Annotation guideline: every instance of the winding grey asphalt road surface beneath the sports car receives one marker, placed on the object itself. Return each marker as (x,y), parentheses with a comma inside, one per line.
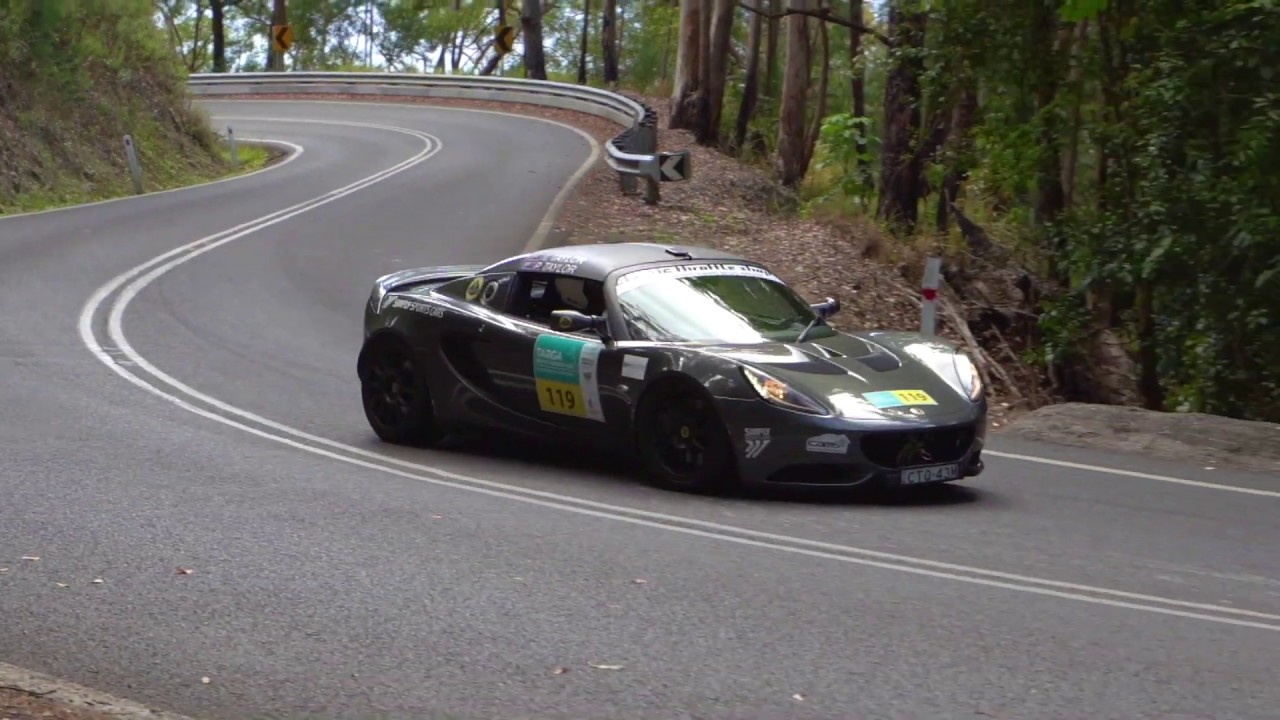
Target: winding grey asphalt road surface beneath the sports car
(335,577)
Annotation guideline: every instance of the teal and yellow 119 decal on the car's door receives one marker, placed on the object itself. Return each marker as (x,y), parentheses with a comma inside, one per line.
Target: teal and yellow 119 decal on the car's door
(566,376)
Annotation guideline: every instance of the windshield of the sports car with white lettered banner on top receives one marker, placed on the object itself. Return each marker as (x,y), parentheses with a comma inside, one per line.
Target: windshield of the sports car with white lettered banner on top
(715,308)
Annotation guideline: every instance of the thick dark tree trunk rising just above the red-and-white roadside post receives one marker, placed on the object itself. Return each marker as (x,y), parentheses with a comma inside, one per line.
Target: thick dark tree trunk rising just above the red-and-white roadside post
(902,167)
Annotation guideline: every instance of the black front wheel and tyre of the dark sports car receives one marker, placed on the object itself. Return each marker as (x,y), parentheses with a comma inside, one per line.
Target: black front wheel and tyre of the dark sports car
(683,441)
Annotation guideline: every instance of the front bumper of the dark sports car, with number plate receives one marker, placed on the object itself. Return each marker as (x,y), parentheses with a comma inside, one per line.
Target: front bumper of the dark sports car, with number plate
(778,448)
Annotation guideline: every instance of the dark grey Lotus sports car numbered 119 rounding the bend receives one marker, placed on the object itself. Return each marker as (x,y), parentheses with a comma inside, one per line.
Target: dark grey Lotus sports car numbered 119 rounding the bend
(705,363)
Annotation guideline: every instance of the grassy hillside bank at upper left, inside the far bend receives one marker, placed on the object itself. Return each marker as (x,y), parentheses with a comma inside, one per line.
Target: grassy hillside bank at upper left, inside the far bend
(76,79)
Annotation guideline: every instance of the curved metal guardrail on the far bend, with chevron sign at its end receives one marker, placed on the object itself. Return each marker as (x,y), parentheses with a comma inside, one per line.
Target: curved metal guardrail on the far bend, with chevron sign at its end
(633,154)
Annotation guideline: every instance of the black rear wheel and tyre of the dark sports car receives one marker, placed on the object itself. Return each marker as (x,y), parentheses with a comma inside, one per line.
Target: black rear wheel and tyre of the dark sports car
(396,398)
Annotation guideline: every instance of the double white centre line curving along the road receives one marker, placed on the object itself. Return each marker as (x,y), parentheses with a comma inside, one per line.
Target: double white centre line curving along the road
(136,280)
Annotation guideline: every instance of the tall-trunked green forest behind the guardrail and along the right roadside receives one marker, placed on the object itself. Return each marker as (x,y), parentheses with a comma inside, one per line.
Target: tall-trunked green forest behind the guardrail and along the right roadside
(1117,161)
